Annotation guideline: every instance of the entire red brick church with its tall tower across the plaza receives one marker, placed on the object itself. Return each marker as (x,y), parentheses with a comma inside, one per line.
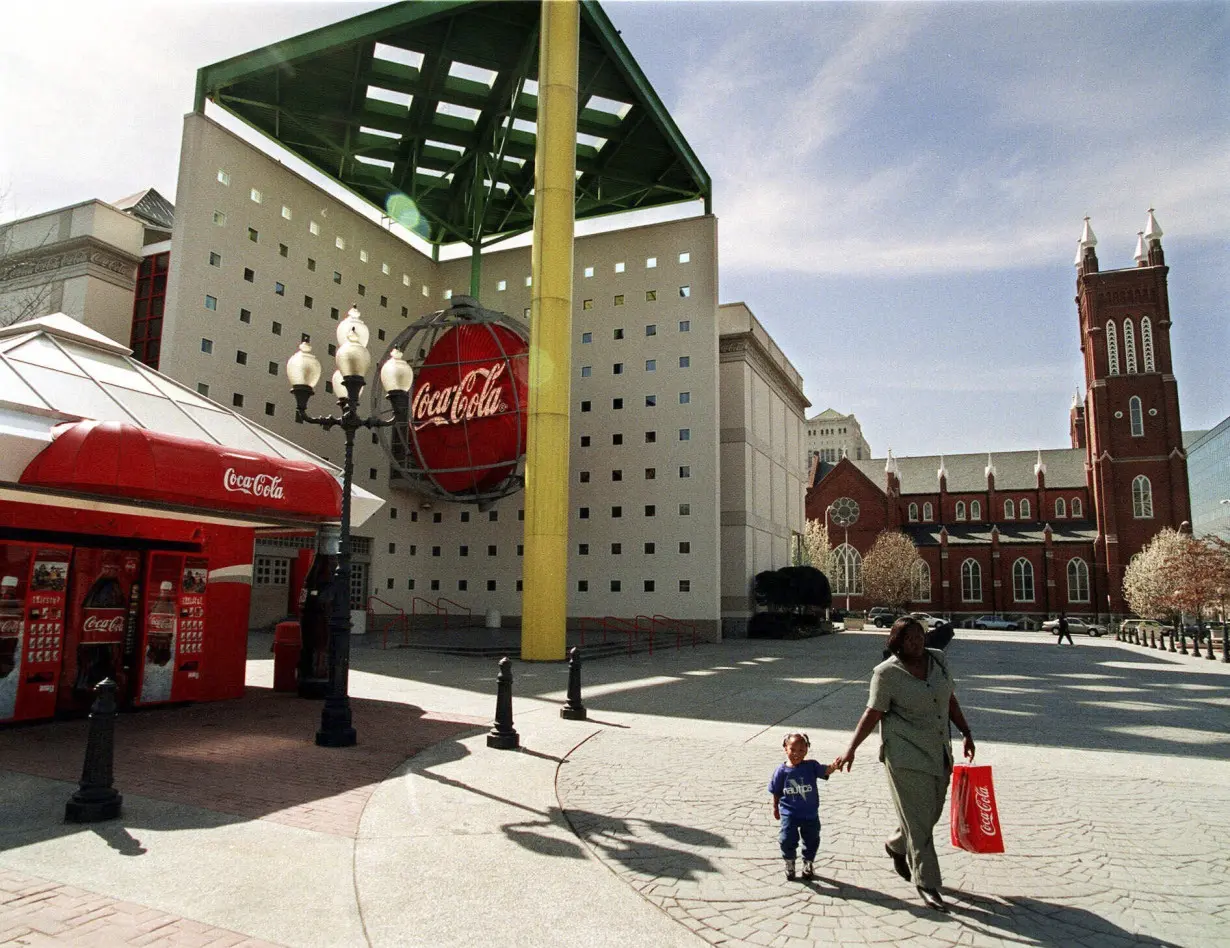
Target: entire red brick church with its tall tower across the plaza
(1038,533)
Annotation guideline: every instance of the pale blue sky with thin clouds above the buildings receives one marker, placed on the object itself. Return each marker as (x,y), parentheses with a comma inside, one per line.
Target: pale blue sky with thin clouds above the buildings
(900,188)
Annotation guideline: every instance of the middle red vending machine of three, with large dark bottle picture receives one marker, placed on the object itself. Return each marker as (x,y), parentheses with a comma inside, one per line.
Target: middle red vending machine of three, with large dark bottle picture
(101,635)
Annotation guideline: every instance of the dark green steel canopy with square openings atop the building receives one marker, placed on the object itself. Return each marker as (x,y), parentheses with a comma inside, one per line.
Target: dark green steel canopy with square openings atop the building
(427,111)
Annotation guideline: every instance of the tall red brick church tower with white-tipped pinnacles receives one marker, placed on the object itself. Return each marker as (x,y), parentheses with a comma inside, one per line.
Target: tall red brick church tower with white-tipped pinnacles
(1133,440)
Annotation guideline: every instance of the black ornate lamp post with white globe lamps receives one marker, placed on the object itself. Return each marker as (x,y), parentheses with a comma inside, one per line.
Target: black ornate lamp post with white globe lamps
(303,372)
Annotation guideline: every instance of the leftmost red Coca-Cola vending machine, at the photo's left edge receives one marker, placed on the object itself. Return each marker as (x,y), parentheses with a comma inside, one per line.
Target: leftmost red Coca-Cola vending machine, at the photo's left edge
(34,583)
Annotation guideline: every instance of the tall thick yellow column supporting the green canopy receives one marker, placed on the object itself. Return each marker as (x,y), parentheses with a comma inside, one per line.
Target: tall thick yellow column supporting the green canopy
(546,565)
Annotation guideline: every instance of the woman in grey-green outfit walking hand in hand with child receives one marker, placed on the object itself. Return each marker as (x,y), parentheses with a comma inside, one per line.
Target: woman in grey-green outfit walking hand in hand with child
(913,700)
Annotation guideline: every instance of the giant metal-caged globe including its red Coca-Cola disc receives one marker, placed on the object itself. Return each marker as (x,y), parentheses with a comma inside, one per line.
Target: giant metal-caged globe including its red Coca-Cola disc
(468,405)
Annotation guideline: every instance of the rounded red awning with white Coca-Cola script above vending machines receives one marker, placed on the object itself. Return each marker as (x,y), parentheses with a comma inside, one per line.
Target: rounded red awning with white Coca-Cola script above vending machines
(122,460)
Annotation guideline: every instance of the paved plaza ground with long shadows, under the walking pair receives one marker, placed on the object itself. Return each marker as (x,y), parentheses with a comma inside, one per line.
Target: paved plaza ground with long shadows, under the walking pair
(650,823)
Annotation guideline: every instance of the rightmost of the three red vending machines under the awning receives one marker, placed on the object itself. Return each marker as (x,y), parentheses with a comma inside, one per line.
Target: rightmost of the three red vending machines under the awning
(173,647)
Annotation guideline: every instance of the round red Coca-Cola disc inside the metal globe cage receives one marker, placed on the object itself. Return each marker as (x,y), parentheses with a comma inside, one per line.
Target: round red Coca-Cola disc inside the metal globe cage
(468,408)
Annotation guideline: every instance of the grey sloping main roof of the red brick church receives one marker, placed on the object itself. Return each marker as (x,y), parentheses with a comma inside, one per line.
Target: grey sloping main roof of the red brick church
(1014,470)
